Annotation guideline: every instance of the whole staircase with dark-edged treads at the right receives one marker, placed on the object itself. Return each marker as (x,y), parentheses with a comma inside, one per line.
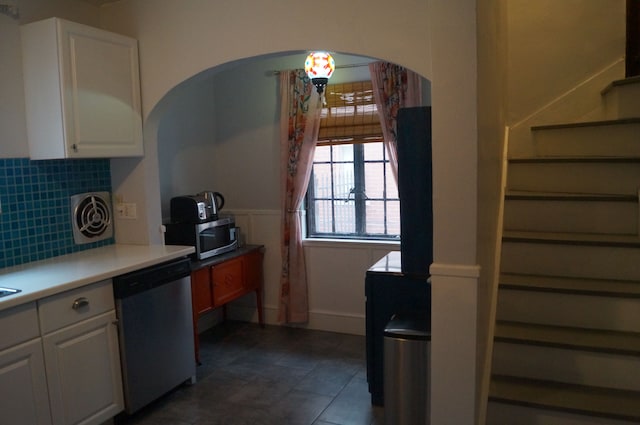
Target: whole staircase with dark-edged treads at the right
(567,336)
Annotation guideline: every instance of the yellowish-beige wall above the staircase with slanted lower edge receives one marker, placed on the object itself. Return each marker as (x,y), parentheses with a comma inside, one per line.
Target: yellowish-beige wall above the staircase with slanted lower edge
(555,45)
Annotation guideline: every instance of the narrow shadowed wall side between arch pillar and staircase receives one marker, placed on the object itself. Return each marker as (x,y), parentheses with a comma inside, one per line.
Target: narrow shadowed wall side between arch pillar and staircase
(492,109)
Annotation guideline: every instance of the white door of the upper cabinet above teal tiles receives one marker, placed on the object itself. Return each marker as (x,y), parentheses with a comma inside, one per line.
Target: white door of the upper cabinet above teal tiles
(101,83)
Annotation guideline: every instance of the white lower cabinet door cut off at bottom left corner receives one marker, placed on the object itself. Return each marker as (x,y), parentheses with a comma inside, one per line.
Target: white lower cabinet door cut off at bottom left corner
(23,386)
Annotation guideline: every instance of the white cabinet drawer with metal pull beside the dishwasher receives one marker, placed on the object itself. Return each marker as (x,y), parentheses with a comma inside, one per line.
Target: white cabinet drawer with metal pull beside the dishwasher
(72,306)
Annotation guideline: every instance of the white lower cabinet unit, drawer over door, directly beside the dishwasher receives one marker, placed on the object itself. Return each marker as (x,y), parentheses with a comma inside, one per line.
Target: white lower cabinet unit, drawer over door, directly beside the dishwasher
(81,355)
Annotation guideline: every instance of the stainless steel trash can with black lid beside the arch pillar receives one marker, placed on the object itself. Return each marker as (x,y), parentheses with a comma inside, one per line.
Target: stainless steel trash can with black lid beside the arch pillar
(407,345)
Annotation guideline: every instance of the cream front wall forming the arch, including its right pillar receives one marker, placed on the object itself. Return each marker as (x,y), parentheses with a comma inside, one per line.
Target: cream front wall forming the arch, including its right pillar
(434,38)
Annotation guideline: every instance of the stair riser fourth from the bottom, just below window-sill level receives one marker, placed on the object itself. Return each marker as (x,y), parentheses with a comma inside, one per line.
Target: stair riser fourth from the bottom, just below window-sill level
(569,260)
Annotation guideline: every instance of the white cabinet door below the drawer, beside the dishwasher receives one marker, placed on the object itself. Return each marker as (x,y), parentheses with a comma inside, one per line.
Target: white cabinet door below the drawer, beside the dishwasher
(83,371)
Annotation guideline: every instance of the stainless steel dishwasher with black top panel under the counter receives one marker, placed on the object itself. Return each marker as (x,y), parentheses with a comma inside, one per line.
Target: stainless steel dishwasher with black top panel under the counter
(155,328)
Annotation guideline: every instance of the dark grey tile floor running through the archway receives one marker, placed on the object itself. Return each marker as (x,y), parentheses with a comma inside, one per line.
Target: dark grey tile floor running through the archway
(271,376)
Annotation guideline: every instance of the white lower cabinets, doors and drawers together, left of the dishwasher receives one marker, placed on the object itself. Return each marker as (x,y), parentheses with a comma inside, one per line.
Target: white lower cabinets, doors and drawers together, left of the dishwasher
(60,360)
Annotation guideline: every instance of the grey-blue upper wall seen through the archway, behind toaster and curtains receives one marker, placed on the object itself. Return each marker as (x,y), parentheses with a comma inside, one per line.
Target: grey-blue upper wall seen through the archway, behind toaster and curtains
(208,125)
